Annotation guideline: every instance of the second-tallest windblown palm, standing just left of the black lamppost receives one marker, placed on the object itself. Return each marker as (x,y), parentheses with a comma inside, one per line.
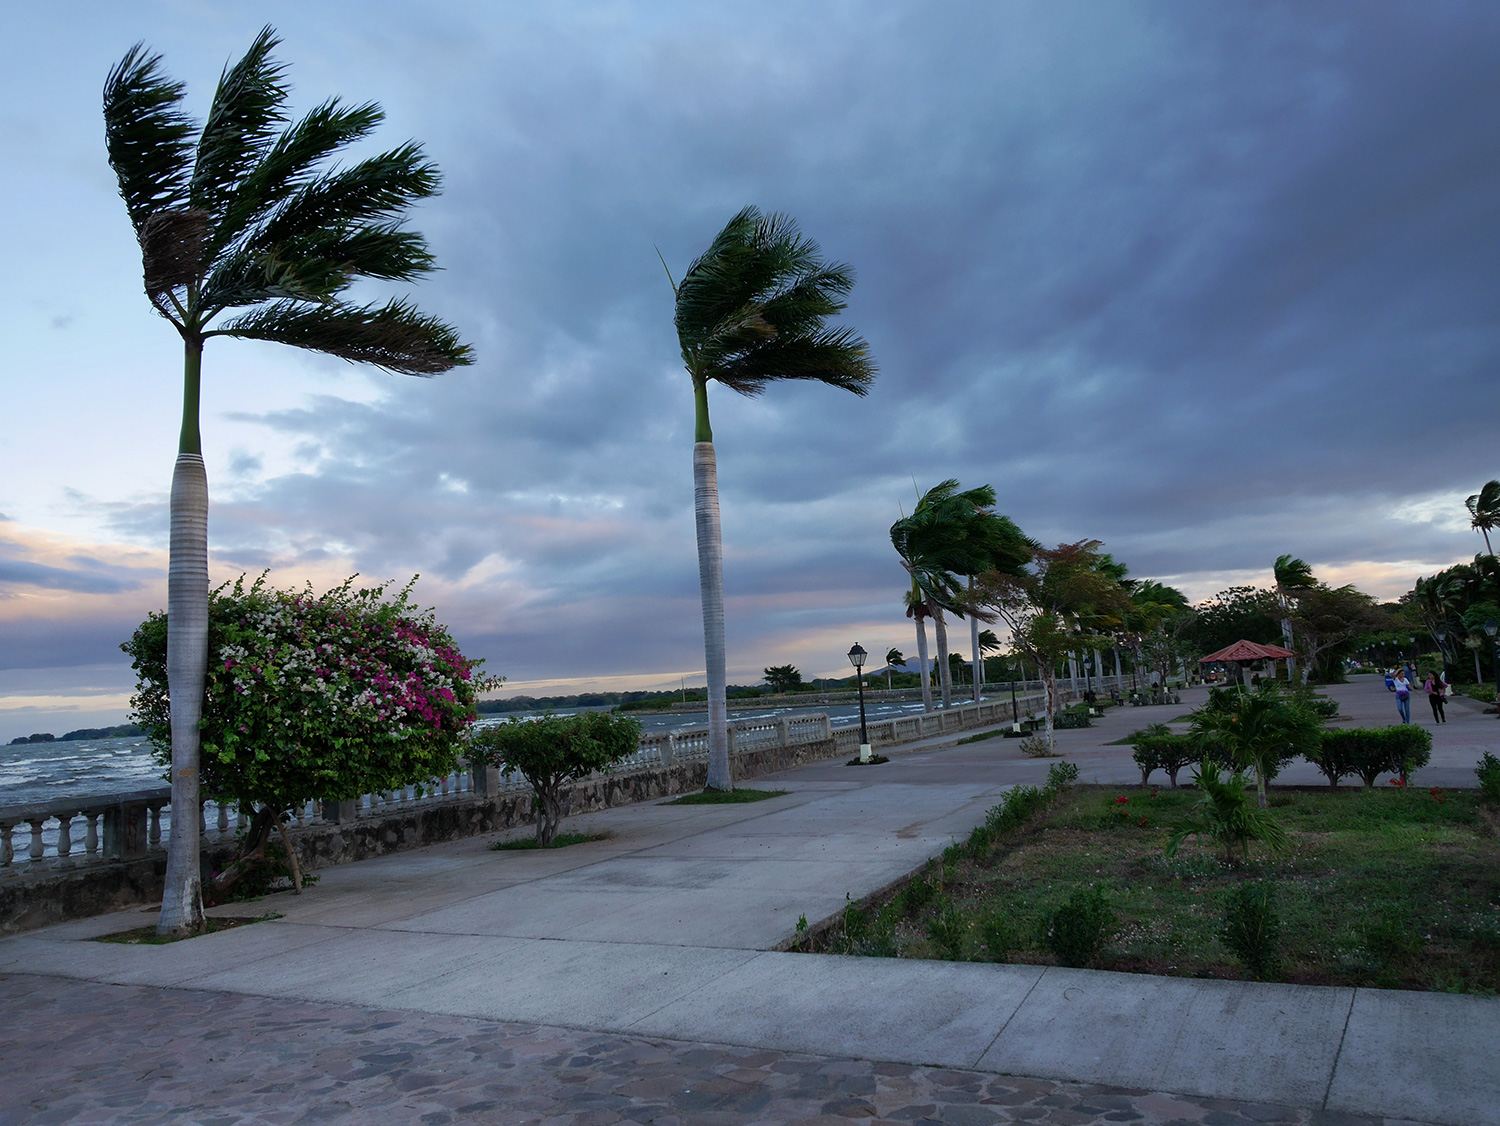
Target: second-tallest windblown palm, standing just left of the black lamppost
(749,313)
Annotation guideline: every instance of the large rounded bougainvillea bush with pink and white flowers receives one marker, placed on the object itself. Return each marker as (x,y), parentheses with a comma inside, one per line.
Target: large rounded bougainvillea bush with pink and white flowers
(314,696)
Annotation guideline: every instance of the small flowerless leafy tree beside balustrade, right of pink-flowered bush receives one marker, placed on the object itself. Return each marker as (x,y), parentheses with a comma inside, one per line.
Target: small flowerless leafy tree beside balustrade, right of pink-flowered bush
(556,750)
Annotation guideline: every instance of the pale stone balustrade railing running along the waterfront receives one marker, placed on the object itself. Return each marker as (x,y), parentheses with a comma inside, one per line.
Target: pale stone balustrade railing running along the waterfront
(103,828)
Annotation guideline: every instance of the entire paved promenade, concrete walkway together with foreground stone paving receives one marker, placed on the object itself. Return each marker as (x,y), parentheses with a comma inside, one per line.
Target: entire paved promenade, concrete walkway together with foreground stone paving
(638,980)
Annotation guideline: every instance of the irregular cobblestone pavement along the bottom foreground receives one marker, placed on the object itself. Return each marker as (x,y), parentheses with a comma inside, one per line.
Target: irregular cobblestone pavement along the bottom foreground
(86,1053)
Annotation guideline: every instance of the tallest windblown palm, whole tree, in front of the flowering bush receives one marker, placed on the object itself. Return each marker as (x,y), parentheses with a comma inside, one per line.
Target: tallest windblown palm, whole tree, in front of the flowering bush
(242,220)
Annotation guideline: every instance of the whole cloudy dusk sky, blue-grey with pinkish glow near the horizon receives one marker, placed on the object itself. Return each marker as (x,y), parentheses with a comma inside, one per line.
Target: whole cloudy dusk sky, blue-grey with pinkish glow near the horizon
(1208,283)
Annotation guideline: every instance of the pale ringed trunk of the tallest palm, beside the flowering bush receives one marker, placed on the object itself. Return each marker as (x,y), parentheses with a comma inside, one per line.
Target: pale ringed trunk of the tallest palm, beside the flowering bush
(187,662)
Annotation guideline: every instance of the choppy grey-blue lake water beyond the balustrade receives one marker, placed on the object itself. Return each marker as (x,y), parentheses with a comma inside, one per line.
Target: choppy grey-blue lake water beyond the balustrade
(79,768)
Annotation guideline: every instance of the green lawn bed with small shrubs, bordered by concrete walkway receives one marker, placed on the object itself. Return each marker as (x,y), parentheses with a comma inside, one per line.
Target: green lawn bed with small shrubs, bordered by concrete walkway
(1388,888)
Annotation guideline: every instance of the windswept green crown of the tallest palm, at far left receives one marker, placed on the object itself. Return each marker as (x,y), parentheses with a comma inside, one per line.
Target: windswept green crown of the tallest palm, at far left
(250,217)
